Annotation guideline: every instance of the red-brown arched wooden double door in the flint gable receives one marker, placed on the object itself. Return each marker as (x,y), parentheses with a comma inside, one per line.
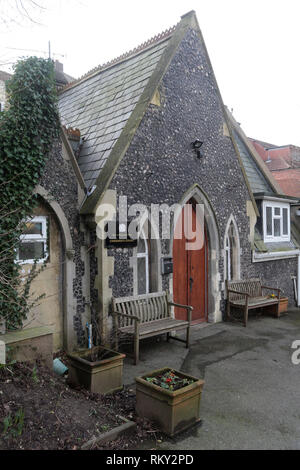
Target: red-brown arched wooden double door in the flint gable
(190,266)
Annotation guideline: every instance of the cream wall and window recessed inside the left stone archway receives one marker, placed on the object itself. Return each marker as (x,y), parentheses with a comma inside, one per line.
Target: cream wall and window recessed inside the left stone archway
(42,241)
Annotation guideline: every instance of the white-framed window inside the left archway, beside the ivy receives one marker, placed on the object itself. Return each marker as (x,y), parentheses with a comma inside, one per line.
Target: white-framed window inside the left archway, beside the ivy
(33,241)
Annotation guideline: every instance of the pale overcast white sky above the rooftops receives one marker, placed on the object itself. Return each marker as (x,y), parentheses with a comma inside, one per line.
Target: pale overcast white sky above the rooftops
(253,46)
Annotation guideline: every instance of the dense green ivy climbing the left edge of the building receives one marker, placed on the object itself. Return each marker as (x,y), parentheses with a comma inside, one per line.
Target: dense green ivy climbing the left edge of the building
(27,131)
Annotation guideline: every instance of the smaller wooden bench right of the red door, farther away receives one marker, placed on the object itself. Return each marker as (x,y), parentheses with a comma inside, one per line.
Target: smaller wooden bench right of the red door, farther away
(248,294)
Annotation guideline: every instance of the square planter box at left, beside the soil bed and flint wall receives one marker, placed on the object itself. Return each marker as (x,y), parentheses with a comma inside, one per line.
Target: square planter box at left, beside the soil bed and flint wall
(103,376)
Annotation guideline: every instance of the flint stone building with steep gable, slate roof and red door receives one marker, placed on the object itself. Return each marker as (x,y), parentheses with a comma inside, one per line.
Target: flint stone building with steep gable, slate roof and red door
(133,127)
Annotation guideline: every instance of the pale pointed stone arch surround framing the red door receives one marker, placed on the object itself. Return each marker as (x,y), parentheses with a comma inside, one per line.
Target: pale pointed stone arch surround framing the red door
(212,254)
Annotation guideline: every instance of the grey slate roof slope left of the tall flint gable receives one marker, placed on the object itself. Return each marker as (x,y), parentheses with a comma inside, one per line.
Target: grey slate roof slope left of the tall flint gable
(101,102)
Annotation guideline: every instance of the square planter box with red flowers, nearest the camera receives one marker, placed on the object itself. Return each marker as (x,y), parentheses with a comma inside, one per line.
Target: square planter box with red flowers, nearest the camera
(172,411)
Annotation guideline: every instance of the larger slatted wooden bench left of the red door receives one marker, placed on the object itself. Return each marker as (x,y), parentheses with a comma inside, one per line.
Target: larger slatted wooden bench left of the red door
(143,316)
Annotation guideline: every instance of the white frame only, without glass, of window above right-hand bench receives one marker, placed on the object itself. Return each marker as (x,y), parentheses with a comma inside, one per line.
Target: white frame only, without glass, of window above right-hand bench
(282,237)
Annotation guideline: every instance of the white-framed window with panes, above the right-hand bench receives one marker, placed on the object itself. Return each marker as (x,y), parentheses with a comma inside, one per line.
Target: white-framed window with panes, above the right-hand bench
(276,221)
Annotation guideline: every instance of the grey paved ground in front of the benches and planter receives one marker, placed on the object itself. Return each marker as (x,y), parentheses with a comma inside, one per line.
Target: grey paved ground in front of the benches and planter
(251,397)
